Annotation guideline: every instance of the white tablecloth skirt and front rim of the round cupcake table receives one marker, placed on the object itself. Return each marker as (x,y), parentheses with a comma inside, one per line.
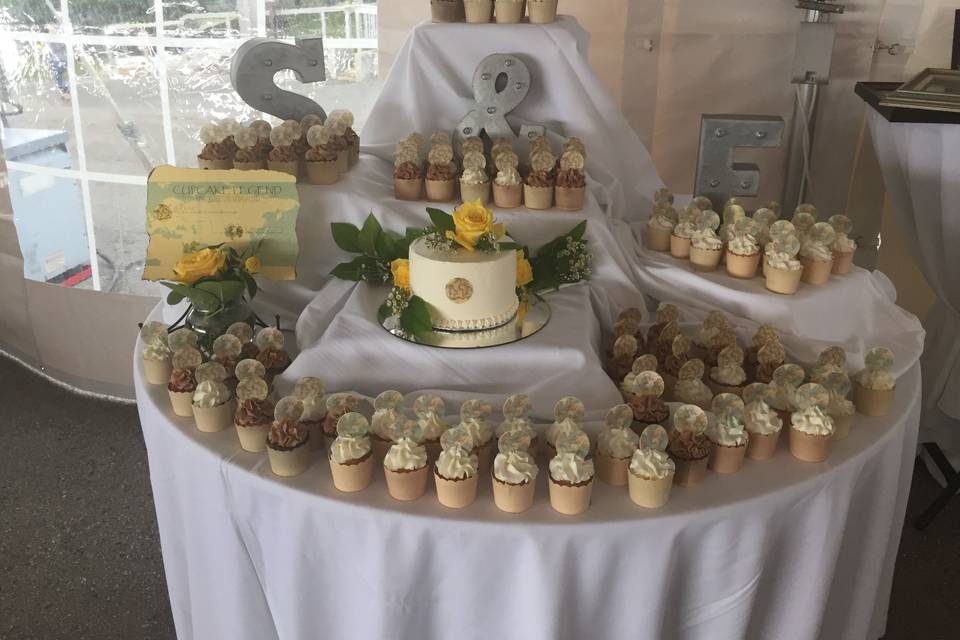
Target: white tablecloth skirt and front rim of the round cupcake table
(782,549)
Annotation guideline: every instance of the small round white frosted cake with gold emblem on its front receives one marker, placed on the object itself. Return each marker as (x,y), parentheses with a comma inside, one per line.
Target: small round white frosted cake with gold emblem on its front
(464,290)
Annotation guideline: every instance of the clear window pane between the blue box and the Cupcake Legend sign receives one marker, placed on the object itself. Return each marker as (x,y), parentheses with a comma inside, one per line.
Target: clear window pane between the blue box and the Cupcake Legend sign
(119,228)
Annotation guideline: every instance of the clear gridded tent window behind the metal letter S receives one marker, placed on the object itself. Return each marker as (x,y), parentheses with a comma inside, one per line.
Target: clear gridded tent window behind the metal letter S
(97,92)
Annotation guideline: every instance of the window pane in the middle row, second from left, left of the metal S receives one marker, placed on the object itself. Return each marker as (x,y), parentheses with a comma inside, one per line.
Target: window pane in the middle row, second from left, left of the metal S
(119,98)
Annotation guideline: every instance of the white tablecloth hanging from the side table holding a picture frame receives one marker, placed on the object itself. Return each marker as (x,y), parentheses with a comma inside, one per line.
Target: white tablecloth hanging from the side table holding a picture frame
(921,170)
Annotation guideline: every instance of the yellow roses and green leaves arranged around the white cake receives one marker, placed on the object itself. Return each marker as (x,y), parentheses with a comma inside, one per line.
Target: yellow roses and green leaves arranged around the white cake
(383,259)
